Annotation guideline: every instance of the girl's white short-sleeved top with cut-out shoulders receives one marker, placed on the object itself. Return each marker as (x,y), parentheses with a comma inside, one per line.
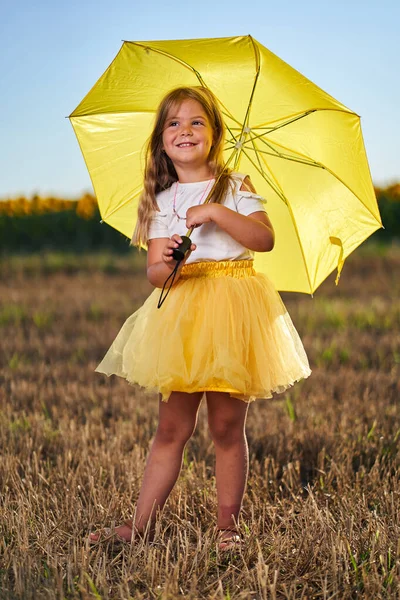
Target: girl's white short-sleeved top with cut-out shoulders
(213,243)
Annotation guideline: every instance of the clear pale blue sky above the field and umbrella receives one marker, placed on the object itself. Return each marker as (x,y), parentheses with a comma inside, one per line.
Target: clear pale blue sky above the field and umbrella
(53,52)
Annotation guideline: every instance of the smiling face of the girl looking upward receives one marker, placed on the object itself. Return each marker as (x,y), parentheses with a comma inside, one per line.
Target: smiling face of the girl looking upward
(187,137)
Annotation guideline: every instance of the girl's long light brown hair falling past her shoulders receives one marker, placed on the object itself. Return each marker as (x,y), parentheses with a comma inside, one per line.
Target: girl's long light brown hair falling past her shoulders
(160,172)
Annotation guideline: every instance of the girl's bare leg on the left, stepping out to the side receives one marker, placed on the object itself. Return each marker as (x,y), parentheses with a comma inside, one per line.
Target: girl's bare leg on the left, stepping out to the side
(177,422)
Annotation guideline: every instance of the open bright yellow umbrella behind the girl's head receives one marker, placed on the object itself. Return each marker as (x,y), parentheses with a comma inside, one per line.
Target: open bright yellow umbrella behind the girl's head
(303,149)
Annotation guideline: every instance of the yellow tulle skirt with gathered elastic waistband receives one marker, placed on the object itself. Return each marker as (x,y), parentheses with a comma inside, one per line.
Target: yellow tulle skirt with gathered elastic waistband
(223,327)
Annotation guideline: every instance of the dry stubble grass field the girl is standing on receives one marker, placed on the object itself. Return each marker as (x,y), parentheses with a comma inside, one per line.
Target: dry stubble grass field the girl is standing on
(321,515)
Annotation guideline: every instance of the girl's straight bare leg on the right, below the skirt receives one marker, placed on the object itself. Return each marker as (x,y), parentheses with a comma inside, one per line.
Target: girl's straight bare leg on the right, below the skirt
(227,418)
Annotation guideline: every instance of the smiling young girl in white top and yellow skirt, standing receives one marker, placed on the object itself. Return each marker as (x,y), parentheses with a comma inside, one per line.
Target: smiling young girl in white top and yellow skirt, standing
(223,330)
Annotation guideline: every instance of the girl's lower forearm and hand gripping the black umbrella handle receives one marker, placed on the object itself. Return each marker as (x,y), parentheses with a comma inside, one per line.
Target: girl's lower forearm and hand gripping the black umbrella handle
(160,263)
